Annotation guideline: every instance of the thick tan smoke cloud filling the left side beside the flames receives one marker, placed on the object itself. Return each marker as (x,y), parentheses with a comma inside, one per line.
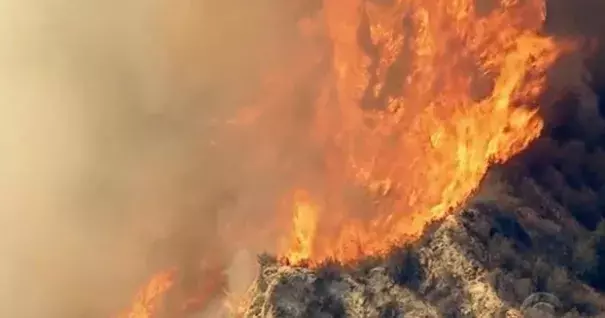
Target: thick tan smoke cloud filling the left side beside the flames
(106,133)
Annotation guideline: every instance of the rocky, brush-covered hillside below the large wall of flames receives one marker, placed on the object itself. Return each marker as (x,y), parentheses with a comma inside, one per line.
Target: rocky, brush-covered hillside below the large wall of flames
(506,244)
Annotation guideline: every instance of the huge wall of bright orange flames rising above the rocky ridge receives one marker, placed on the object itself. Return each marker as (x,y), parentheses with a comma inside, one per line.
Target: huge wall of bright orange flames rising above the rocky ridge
(428,94)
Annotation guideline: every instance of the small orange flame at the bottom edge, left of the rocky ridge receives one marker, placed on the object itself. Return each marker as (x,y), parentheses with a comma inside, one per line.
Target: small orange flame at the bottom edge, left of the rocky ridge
(149,298)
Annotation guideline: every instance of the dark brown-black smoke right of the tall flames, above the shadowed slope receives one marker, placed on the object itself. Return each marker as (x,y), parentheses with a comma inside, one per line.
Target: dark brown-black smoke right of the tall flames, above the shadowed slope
(568,158)
